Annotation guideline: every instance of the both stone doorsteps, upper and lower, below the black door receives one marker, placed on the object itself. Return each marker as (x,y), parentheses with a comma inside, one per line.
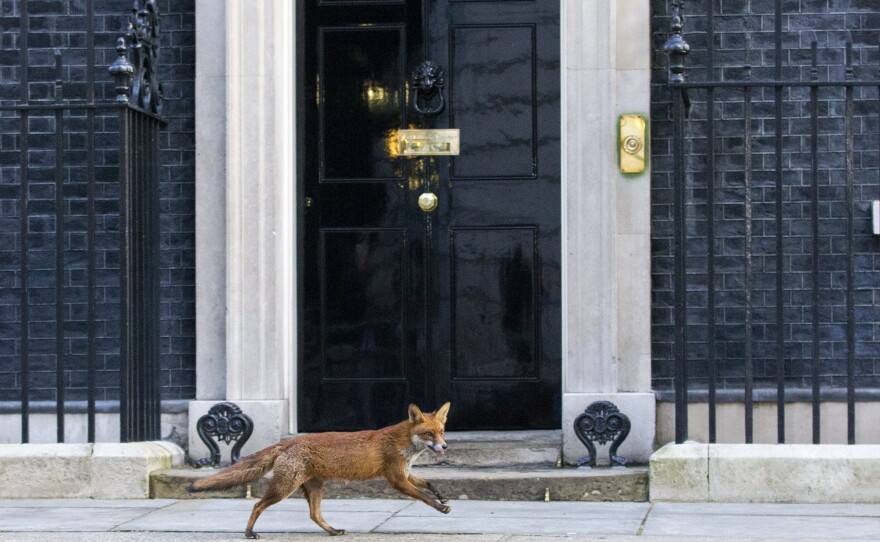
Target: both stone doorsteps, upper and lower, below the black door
(481,465)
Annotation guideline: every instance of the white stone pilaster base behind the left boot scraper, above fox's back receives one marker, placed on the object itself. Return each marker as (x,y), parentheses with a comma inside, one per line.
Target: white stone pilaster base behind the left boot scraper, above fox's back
(270,425)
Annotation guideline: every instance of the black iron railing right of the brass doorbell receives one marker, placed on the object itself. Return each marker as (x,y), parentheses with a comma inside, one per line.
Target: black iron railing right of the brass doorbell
(825,251)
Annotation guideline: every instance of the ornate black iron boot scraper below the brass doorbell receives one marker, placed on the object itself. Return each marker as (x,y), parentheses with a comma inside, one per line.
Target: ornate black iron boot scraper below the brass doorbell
(602,421)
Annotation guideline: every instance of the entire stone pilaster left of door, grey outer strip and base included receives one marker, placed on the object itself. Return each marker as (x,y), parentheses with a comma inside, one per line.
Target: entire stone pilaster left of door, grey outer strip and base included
(247,237)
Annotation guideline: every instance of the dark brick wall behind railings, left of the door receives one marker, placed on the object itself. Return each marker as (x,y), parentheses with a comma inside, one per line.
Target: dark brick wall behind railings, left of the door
(62,24)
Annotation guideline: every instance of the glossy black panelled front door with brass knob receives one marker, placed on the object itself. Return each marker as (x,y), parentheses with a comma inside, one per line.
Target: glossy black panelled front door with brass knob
(461,303)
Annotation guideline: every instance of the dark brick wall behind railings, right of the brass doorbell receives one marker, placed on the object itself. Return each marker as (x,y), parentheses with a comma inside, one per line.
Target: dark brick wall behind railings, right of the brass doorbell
(743,25)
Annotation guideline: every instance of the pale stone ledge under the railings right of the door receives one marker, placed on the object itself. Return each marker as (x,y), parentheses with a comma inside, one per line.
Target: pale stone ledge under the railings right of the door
(782,473)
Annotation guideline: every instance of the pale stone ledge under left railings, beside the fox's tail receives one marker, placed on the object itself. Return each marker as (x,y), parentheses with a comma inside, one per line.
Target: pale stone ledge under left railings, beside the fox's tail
(101,470)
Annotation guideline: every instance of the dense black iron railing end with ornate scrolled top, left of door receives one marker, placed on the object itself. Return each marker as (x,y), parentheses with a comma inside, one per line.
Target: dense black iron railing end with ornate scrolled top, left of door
(139,230)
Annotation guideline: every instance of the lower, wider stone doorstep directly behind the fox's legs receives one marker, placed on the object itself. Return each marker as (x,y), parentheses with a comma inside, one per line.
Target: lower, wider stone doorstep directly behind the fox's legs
(523,483)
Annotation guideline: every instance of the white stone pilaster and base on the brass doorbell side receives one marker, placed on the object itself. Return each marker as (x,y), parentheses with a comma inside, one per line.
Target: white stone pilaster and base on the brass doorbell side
(606,220)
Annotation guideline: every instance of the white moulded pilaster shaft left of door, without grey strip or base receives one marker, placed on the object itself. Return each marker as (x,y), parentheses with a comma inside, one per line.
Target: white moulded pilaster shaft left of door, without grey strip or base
(259,181)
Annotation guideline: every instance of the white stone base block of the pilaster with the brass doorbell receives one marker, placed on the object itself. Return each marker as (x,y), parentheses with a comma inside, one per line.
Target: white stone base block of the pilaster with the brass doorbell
(639,407)
